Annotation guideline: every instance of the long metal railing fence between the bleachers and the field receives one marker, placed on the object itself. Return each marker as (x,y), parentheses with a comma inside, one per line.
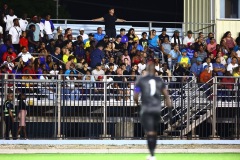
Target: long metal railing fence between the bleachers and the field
(105,109)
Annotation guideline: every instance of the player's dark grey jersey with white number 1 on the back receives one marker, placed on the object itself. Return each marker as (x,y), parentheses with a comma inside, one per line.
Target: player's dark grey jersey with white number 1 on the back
(151,89)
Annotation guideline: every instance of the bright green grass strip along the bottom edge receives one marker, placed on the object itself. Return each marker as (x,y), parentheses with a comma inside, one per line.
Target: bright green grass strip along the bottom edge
(165,156)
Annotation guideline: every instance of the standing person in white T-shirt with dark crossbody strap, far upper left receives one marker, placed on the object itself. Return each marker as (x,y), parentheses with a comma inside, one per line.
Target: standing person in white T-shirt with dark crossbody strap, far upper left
(15,32)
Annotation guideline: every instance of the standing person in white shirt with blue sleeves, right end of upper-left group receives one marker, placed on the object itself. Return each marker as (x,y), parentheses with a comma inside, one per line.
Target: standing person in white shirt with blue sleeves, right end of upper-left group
(48,26)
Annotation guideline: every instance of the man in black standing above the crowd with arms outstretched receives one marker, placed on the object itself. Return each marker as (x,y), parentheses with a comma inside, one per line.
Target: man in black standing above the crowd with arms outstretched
(109,20)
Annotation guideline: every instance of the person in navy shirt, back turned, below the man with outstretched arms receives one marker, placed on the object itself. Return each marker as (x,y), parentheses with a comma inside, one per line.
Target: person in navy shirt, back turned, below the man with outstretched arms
(96,56)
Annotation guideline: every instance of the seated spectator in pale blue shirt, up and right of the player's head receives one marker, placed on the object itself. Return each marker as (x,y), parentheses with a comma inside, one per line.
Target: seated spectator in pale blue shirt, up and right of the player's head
(173,56)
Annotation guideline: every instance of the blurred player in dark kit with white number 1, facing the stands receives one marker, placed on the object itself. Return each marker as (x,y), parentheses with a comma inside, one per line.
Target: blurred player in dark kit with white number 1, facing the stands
(151,89)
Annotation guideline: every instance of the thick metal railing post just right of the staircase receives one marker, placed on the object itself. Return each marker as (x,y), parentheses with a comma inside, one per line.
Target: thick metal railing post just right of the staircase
(214,107)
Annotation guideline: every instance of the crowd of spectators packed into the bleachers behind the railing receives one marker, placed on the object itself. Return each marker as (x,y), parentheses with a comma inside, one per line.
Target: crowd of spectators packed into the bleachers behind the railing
(37,47)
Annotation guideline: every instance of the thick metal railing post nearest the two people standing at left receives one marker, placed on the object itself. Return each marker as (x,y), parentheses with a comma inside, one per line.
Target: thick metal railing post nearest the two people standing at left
(59,105)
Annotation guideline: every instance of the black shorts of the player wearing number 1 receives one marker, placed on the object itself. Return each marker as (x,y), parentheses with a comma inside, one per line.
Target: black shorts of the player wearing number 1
(150,121)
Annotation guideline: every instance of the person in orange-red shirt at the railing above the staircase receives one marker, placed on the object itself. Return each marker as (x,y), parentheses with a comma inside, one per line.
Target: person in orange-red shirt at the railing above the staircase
(205,76)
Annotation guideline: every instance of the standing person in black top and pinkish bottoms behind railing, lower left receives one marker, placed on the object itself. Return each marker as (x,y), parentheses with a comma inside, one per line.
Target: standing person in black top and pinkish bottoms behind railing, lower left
(22,115)
